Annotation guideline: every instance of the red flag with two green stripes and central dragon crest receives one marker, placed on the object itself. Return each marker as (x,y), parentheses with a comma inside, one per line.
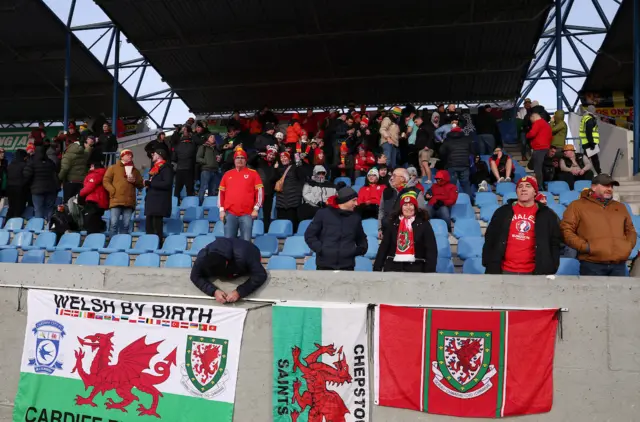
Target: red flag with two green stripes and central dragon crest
(465,363)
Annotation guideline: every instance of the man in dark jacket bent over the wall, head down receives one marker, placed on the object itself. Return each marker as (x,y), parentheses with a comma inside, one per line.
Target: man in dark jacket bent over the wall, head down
(228,258)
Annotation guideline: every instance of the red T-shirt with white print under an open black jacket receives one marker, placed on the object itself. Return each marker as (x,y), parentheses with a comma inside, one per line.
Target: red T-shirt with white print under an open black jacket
(520,255)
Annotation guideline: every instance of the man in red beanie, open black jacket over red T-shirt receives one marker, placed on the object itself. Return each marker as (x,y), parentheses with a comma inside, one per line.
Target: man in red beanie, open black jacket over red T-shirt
(523,237)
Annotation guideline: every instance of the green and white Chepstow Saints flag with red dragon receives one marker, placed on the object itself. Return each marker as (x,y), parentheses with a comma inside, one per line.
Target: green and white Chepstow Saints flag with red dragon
(320,364)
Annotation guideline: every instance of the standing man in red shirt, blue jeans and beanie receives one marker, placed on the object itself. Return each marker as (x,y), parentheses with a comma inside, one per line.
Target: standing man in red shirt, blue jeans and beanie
(240,198)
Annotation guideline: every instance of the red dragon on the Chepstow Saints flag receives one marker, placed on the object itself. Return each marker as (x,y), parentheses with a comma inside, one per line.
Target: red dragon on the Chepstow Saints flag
(322,402)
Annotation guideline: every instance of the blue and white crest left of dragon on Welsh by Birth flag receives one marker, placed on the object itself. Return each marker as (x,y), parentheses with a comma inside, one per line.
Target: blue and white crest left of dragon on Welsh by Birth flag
(48,336)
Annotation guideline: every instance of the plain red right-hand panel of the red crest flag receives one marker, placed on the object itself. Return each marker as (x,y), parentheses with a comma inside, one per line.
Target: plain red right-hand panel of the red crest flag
(529,361)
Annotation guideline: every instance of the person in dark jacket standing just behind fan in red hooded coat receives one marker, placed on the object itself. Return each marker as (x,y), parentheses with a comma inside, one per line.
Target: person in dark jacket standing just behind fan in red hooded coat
(456,151)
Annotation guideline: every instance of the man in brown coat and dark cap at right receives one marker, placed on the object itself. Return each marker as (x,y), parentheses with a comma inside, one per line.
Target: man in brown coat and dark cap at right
(600,229)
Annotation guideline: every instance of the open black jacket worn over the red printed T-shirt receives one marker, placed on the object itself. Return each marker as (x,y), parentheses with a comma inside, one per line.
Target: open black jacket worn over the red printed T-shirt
(548,239)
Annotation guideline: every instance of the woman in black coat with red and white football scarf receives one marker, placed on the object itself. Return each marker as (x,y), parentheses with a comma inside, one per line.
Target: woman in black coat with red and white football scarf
(408,243)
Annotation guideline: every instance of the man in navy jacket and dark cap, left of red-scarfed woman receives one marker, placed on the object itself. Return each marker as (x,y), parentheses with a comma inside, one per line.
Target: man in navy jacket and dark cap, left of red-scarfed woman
(336,234)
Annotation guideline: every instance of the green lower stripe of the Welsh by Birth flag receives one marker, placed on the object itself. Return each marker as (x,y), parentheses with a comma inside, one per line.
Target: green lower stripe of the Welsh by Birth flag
(33,399)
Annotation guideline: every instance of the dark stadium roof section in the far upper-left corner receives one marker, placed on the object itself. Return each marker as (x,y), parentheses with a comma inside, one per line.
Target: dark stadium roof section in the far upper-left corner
(32,68)
